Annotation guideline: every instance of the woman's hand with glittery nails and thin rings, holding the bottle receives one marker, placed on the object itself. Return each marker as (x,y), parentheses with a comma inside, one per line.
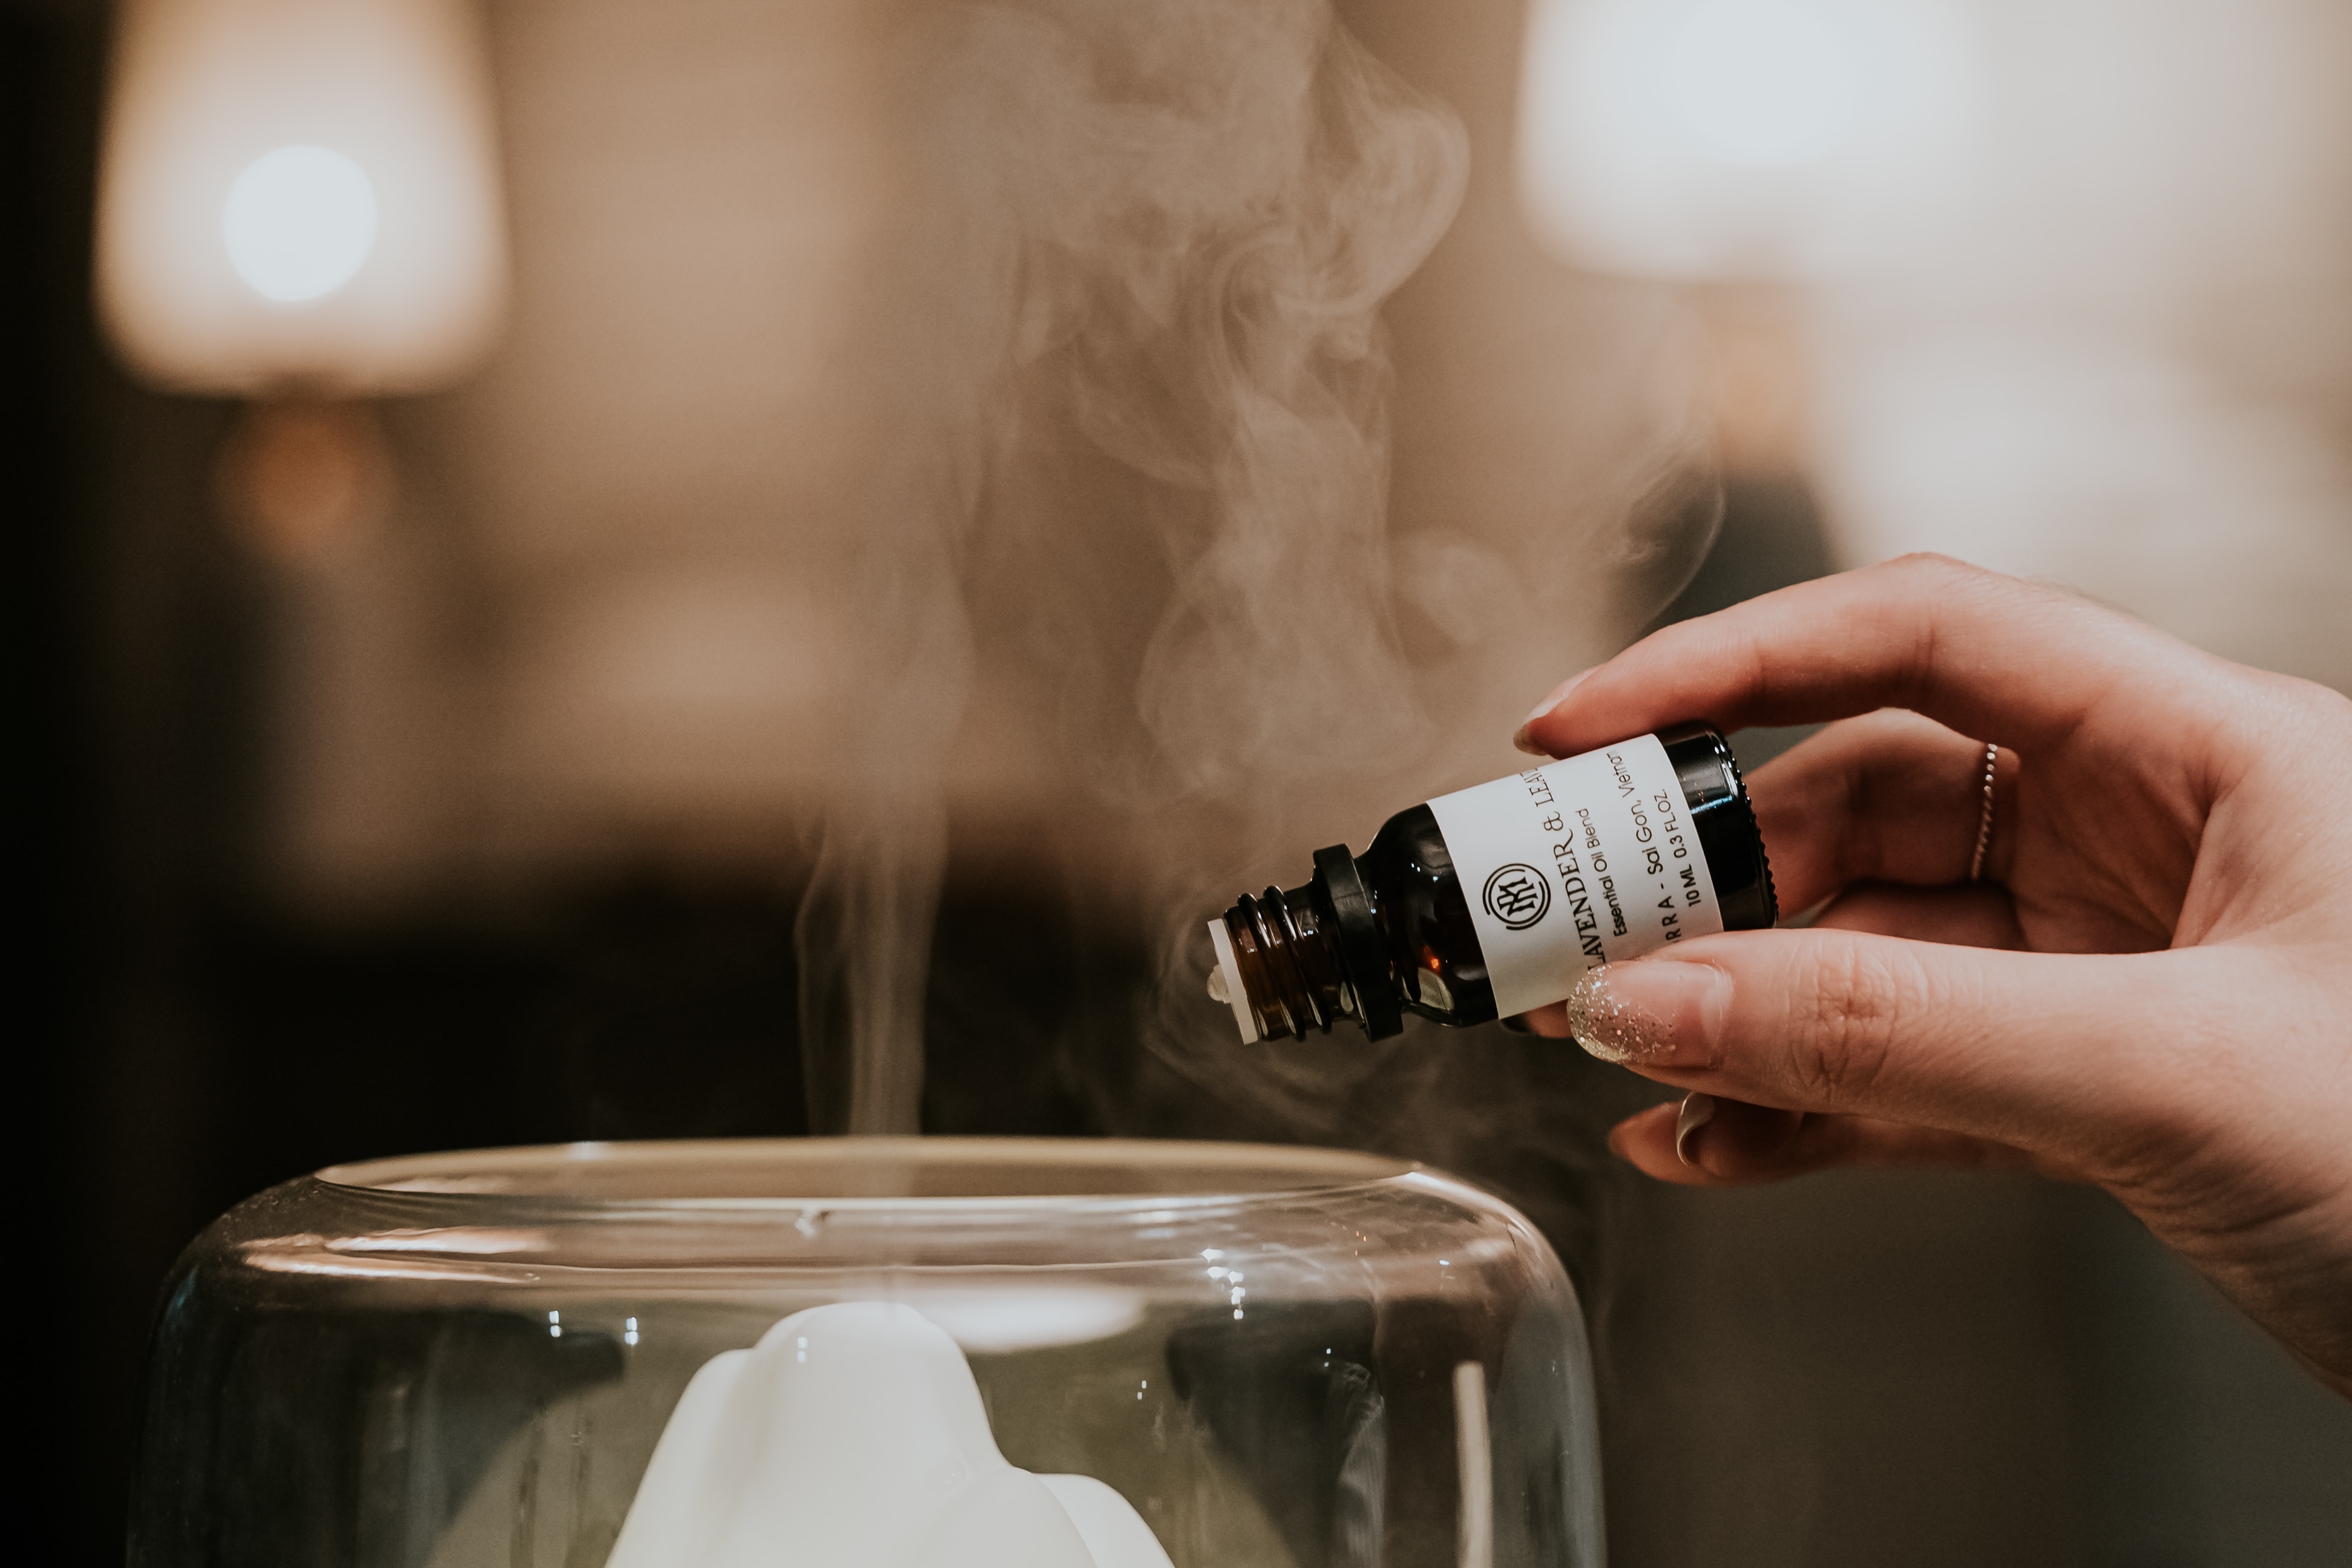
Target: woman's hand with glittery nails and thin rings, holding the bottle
(2151,989)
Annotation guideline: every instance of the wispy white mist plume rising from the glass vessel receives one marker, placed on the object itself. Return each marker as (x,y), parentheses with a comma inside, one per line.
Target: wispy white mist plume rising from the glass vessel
(1168,227)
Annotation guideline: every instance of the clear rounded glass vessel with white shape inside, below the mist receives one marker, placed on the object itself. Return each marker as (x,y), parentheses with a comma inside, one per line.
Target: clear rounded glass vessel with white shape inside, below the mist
(902,1355)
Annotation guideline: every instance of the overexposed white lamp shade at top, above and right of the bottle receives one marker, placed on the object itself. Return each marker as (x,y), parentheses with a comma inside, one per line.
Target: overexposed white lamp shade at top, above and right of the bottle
(1709,140)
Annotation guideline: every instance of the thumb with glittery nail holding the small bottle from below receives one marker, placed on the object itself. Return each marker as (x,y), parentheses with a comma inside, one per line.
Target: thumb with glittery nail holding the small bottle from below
(2033,1050)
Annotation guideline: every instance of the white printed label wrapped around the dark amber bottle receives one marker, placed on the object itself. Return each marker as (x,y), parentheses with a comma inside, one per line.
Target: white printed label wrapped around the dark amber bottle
(1577,864)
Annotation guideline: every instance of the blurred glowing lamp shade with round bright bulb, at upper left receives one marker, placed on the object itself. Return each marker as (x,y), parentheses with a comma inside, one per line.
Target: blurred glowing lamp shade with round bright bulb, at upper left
(300,196)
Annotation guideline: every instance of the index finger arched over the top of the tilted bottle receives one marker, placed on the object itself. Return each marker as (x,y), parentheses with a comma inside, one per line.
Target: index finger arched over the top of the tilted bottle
(1975,650)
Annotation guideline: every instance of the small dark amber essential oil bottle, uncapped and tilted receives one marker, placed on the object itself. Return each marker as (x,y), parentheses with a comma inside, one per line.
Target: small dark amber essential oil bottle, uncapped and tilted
(1492,902)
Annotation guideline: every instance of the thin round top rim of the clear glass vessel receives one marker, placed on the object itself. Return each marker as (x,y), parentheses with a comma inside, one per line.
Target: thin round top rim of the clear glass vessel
(848,1174)
